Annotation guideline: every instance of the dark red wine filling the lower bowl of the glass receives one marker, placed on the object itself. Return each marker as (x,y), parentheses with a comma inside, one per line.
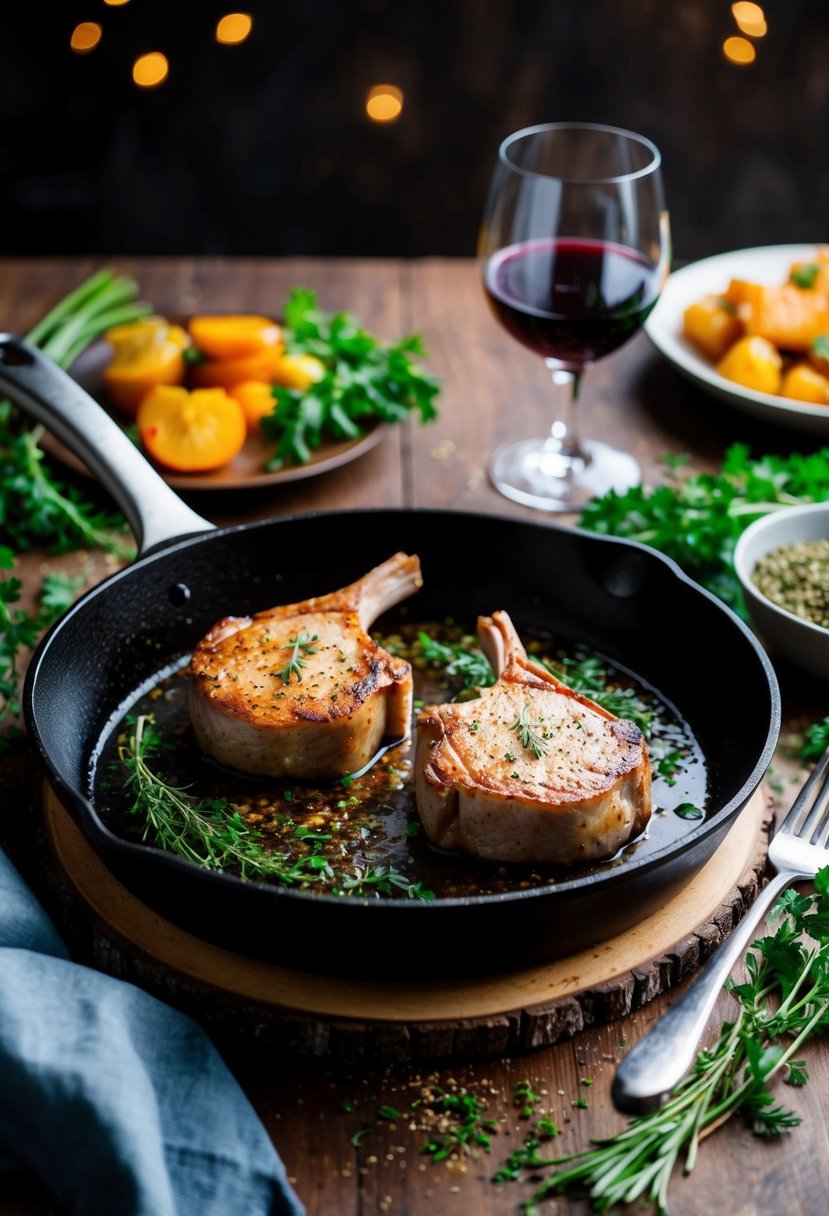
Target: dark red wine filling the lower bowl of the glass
(573,301)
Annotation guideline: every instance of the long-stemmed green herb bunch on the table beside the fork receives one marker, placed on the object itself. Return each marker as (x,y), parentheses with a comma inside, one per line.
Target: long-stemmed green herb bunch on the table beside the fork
(783,1003)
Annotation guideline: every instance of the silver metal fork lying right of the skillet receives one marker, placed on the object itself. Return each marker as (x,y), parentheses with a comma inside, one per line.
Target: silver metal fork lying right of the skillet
(650,1073)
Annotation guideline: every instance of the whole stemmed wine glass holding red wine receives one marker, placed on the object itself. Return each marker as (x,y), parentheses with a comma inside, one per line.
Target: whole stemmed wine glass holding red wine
(574,251)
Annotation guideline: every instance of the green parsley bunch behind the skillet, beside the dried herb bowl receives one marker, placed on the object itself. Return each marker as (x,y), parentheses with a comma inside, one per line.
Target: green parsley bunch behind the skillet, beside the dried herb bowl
(698,520)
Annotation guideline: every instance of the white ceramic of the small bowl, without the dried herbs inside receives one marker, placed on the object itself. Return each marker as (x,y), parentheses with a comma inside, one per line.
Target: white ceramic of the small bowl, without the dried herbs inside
(803,643)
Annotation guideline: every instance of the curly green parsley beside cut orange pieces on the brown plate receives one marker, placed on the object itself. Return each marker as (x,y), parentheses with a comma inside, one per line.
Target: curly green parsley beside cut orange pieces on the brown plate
(365,382)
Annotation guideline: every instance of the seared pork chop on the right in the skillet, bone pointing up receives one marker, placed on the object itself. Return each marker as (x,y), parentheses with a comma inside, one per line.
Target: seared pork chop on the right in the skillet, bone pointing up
(531,772)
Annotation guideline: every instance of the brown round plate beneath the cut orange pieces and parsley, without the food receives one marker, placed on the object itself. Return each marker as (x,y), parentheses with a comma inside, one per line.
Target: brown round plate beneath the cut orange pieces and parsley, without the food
(246,471)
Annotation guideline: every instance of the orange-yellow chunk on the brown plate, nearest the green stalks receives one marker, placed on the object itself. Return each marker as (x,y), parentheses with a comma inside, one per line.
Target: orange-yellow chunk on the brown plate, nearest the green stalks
(145,353)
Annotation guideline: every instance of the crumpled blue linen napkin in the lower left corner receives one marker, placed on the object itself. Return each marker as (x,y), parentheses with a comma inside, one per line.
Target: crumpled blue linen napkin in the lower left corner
(119,1102)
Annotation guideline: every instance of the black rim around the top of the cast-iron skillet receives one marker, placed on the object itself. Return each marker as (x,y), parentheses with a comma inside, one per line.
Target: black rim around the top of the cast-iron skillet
(614,875)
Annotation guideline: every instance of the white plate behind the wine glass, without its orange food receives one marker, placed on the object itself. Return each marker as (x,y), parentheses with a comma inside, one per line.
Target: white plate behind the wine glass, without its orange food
(768,264)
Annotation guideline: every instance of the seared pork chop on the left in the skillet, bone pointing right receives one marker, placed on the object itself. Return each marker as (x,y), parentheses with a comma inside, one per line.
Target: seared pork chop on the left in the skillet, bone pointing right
(302,691)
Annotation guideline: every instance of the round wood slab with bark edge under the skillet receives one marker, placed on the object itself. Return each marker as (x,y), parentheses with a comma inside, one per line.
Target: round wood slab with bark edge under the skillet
(386,1021)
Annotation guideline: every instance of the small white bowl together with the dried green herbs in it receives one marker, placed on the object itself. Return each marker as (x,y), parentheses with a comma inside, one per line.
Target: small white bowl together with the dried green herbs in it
(783,565)
